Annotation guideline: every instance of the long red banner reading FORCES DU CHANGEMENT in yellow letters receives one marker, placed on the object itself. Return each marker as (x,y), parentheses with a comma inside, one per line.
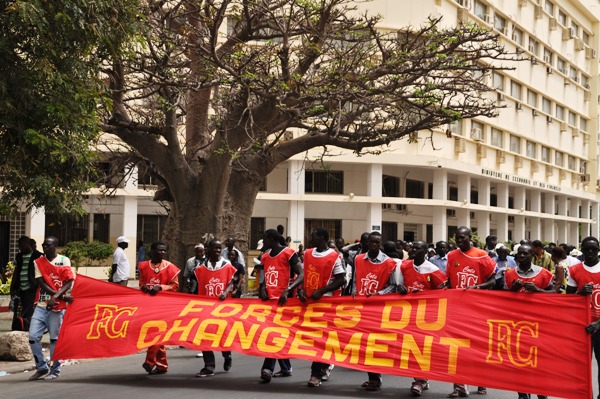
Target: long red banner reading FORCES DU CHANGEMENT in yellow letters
(510,341)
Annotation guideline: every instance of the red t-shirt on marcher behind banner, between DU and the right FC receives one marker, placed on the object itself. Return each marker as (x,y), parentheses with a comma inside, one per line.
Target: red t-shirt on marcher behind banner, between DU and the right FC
(466,269)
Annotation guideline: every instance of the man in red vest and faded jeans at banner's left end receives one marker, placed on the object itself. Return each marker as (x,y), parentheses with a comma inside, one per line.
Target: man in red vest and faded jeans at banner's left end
(55,278)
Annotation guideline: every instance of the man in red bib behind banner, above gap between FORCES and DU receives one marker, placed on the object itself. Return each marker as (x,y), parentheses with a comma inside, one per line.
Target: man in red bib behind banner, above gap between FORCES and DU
(376,274)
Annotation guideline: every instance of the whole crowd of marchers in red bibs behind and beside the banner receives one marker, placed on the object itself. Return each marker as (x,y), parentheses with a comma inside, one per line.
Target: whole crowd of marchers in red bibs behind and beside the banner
(331,267)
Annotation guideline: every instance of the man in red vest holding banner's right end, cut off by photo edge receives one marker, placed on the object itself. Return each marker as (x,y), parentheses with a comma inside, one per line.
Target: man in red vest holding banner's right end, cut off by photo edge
(584,279)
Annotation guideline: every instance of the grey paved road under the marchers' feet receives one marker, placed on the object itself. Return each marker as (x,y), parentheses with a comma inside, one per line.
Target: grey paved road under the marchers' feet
(123,377)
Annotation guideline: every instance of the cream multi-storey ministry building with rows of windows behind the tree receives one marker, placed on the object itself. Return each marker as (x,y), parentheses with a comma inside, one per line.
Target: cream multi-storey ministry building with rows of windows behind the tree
(531,172)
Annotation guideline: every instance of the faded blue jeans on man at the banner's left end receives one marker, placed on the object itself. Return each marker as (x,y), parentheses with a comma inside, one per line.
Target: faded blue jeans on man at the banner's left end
(45,319)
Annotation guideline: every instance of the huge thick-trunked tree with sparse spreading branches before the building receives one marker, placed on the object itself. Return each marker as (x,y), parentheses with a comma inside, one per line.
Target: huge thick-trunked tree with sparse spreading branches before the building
(213,94)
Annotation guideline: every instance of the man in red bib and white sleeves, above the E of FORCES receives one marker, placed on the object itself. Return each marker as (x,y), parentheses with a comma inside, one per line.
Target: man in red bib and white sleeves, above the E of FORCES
(324,275)
